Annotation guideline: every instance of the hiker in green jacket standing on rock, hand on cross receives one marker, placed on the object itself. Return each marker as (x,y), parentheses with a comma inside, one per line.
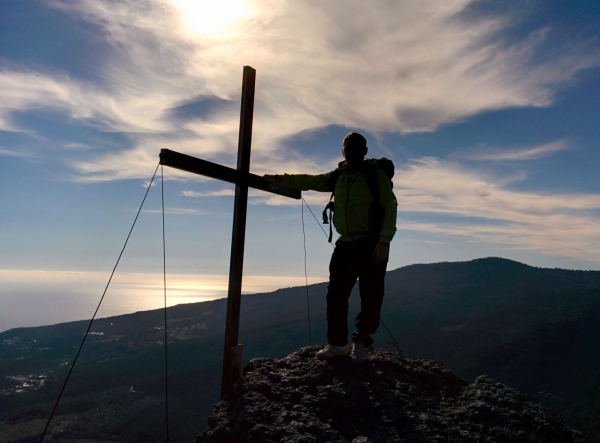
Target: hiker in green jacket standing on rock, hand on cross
(365,219)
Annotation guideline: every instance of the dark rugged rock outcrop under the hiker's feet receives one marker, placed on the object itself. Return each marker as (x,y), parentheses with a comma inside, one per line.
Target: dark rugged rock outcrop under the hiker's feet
(389,398)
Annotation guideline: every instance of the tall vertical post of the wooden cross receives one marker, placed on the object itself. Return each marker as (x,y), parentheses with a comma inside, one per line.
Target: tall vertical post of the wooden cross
(232,352)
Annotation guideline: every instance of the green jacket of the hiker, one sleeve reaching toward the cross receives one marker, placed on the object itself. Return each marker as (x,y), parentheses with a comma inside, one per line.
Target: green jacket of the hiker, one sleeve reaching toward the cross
(353,201)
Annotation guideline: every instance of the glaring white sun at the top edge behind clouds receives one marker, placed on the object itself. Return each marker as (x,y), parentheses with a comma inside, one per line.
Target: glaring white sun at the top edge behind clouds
(212,17)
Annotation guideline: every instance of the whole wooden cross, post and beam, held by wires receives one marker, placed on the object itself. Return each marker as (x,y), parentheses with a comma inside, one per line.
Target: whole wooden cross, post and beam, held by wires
(232,355)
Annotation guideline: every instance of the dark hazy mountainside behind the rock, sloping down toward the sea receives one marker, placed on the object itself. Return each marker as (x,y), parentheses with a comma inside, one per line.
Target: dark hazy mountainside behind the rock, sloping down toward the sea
(534,329)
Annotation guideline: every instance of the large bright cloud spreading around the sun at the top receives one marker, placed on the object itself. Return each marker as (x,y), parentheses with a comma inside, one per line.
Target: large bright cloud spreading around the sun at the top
(381,66)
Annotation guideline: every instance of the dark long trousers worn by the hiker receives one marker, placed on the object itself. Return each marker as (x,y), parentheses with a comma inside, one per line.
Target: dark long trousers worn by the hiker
(351,261)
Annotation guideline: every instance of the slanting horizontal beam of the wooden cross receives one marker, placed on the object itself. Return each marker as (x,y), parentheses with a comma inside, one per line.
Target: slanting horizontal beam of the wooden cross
(198,166)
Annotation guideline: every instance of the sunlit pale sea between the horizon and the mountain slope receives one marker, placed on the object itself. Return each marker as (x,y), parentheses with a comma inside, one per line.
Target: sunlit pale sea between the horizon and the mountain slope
(35,298)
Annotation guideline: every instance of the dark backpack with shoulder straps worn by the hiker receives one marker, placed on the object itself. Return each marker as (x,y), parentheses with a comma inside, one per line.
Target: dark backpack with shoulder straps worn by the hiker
(370,171)
